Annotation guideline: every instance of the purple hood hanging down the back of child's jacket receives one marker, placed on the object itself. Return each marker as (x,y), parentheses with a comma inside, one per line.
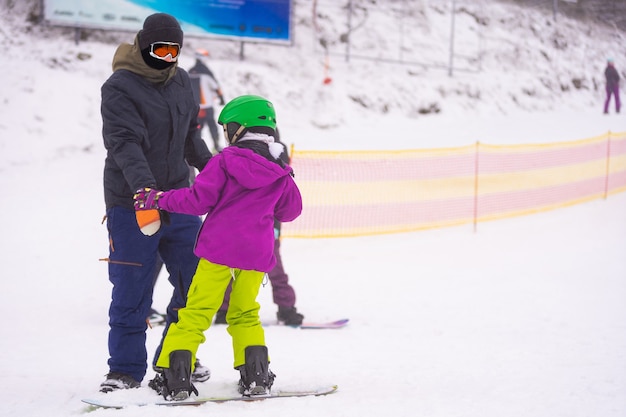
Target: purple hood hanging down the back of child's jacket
(250,169)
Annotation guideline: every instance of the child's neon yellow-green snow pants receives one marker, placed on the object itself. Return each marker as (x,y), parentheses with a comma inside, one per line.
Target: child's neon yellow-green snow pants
(205,297)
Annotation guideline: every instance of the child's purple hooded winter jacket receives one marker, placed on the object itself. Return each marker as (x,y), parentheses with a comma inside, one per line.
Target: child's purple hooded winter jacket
(241,193)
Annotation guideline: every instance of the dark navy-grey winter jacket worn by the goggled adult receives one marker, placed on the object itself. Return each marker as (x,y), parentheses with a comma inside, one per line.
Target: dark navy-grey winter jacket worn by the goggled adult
(150,134)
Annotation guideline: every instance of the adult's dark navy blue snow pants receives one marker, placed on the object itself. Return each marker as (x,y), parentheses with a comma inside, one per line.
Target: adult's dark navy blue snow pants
(133,258)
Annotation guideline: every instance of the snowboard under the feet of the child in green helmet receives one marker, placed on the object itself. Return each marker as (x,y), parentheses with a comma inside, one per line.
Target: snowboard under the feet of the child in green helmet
(104,402)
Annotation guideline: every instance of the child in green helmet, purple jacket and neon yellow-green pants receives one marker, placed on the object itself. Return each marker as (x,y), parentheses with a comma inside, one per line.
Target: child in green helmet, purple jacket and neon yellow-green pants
(241,191)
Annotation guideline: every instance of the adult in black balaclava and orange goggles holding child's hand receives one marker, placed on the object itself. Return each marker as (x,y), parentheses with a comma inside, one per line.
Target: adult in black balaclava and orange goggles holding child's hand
(150,135)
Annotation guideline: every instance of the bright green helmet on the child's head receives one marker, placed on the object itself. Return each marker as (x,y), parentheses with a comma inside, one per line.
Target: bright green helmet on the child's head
(249,111)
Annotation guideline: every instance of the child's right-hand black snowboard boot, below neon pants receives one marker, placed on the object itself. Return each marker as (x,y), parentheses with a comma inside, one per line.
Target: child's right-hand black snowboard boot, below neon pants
(256,377)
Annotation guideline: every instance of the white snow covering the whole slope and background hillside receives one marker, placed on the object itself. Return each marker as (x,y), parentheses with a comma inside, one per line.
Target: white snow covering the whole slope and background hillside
(522,317)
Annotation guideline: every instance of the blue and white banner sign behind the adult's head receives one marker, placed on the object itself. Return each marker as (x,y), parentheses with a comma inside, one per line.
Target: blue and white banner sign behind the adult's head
(268,20)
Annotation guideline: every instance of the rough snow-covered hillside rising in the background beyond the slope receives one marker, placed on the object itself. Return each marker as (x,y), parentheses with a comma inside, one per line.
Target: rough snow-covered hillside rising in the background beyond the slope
(508,58)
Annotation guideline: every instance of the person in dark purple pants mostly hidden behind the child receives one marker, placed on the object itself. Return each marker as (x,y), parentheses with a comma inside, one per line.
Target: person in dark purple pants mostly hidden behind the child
(283,293)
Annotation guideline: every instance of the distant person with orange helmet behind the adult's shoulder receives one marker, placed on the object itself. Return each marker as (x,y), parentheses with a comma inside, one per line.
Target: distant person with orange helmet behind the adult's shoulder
(206,90)
